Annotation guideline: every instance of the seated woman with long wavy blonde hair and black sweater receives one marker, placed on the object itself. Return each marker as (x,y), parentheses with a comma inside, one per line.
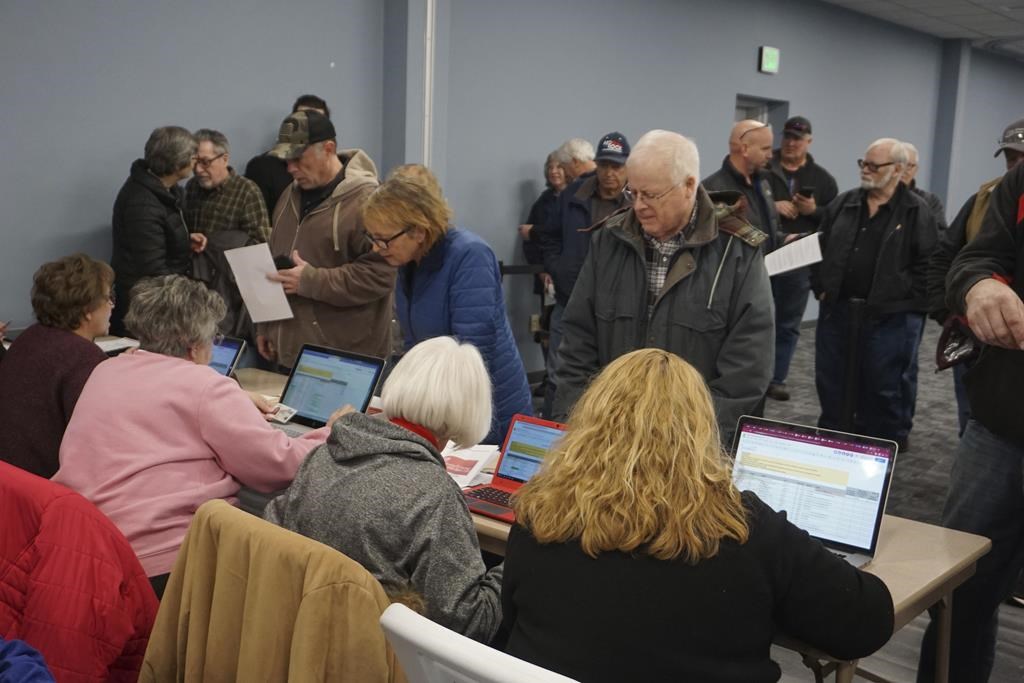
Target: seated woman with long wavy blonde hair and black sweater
(635,559)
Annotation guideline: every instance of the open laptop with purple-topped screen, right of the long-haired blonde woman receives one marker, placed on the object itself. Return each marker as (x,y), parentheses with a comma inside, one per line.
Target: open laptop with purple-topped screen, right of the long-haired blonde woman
(832,485)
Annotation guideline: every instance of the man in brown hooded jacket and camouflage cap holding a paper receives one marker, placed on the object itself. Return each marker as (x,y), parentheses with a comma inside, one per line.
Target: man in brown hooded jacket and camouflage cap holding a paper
(340,290)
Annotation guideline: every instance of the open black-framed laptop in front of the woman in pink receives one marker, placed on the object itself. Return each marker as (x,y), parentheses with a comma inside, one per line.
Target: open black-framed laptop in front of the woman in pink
(323,380)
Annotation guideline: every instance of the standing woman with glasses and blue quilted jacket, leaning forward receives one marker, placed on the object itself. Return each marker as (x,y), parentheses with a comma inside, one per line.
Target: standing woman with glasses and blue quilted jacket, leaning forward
(449,284)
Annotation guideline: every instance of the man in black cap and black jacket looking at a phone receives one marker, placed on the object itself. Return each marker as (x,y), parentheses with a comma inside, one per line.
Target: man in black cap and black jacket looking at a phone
(802,190)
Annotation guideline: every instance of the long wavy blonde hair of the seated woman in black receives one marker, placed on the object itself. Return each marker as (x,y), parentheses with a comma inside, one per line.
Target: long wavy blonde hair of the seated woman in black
(641,467)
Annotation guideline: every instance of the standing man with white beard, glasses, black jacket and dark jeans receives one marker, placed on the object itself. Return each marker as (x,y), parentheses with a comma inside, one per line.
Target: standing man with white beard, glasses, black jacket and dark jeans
(872,283)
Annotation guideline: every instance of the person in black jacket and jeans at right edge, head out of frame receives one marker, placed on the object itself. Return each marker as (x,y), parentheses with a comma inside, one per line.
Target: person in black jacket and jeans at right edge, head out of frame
(987,285)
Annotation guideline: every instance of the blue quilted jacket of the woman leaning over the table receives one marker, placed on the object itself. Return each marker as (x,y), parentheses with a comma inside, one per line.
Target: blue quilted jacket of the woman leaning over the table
(456,290)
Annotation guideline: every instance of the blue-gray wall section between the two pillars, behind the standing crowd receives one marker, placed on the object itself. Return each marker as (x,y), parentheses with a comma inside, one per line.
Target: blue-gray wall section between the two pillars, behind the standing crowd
(524,76)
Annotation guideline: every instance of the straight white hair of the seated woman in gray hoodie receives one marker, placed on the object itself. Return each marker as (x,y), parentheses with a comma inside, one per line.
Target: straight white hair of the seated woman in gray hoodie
(442,386)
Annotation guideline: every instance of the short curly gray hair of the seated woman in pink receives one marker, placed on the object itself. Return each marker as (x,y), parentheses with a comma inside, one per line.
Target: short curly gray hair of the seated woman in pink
(170,315)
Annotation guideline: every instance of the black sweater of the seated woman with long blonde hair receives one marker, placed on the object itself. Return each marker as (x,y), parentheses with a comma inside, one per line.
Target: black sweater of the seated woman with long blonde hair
(632,618)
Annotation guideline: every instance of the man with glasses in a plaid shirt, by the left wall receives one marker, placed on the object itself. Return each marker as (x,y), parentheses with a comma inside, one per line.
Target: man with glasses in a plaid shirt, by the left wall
(218,199)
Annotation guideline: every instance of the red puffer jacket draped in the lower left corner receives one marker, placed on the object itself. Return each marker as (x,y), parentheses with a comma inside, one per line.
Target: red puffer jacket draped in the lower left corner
(70,584)
